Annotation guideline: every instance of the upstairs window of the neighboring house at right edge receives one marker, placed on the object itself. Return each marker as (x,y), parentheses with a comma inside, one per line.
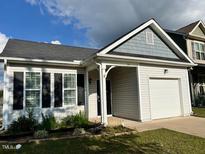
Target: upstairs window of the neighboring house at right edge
(198,50)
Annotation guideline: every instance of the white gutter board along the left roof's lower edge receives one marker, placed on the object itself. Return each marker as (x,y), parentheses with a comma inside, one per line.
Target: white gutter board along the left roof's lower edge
(40,61)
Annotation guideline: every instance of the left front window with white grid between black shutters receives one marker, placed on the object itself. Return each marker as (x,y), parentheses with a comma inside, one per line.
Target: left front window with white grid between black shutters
(32,89)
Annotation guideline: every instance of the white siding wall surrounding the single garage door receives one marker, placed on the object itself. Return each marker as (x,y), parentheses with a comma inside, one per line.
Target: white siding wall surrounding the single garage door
(146,72)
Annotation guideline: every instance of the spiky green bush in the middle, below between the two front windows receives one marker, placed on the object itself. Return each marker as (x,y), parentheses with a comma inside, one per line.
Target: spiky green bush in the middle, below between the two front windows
(48,122)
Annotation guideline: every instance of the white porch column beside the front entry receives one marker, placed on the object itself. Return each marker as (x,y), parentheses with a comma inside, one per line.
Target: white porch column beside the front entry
(103,97)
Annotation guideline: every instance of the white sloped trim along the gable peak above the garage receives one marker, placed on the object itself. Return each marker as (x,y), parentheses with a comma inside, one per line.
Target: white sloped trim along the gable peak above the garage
(132,33)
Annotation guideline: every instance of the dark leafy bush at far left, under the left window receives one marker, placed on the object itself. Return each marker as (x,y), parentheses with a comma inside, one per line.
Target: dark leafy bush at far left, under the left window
(24,124)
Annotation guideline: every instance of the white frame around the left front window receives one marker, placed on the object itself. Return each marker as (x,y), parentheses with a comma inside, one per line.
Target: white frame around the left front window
(25,89)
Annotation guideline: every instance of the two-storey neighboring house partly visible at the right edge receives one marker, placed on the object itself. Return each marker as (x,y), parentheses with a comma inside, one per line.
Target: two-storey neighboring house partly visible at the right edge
(191,39)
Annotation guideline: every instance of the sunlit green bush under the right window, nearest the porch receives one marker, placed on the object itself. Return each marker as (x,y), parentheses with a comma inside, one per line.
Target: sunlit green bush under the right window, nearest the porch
(77,121)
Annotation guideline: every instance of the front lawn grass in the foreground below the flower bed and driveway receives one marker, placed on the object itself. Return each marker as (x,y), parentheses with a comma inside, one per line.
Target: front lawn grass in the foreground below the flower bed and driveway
(149,142)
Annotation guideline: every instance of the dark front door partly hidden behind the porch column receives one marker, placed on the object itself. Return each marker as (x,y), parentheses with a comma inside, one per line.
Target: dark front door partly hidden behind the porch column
(108,92)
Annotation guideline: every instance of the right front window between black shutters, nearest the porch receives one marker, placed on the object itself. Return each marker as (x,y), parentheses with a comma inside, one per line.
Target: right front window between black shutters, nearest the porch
(69,89)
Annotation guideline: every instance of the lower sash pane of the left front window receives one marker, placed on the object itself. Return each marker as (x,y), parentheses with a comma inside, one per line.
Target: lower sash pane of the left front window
(32,98)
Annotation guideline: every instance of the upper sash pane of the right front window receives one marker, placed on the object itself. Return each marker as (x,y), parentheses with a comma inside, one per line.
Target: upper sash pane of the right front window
(69,81)
